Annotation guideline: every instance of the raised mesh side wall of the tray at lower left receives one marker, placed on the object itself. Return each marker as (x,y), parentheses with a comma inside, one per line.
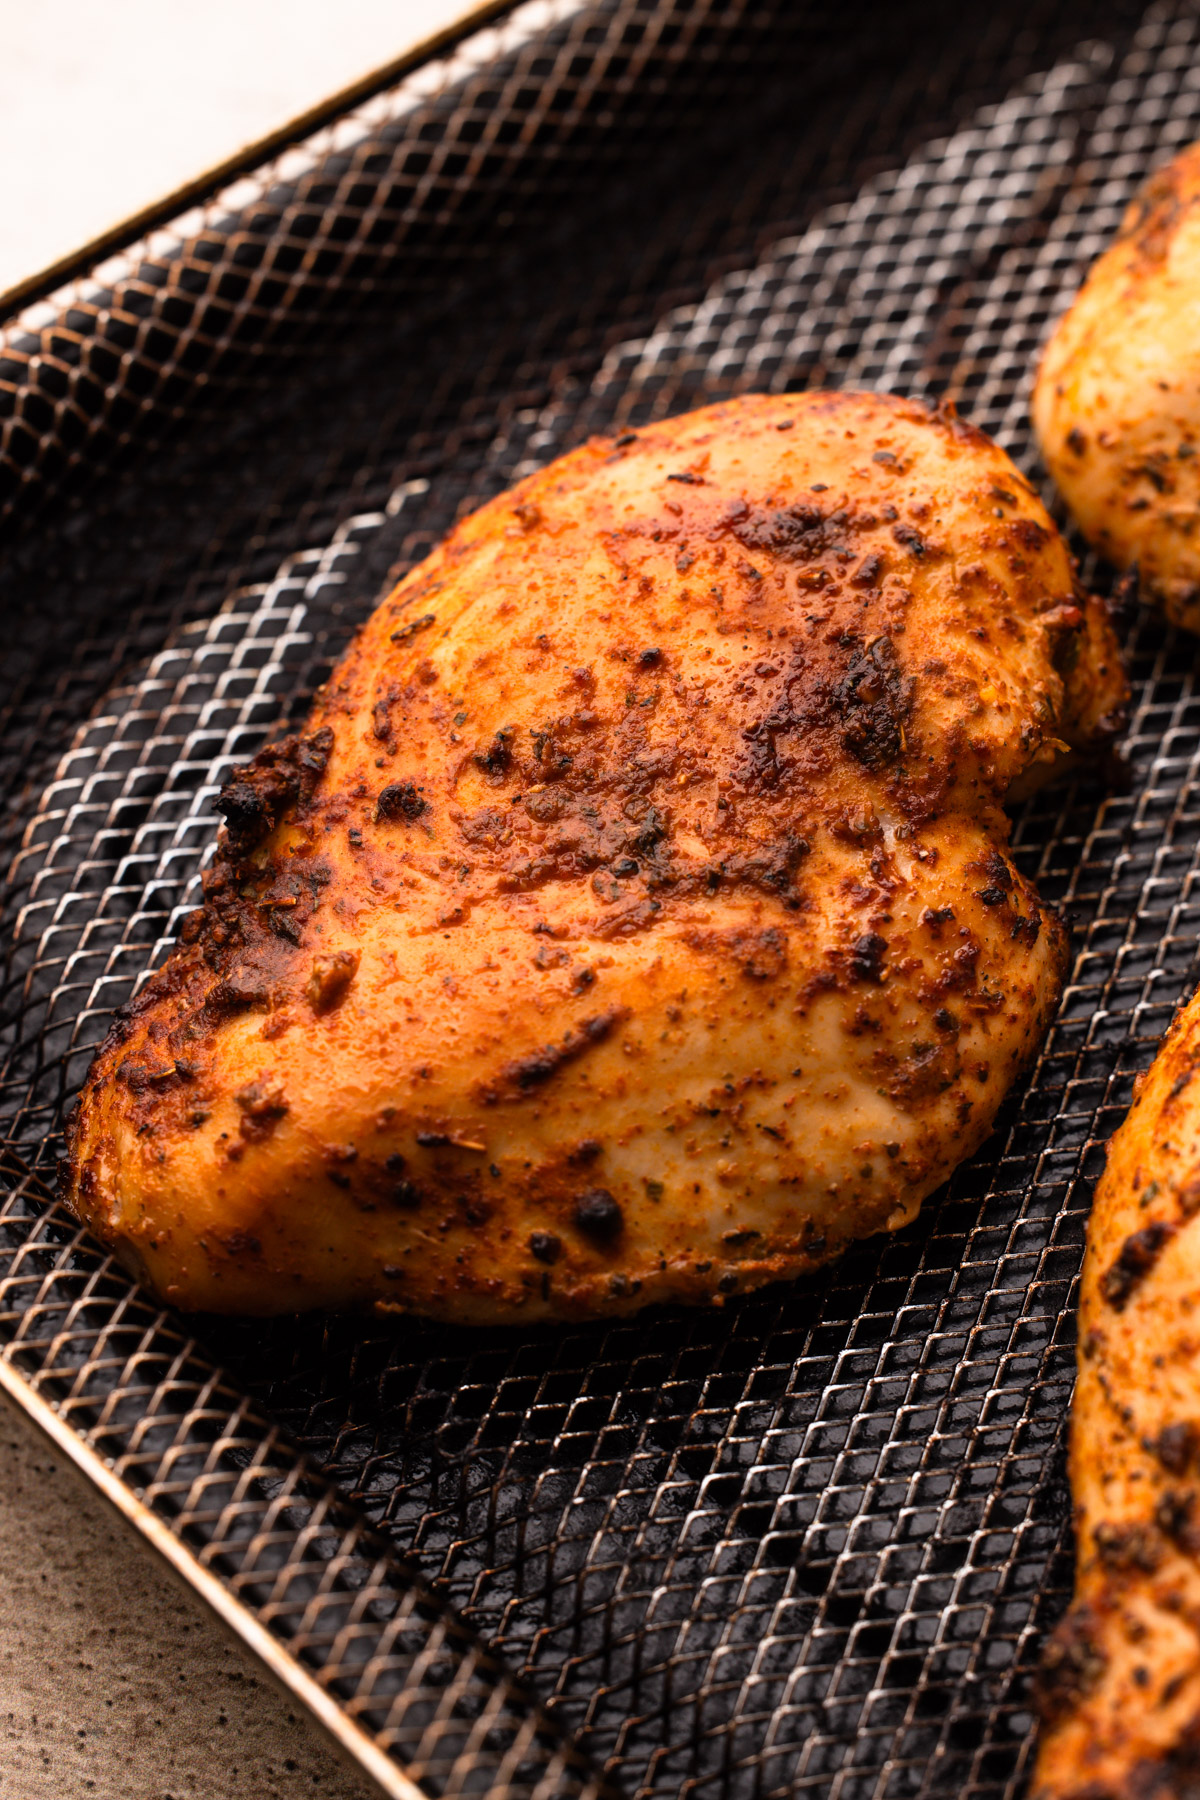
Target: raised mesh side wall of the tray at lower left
(197,1453)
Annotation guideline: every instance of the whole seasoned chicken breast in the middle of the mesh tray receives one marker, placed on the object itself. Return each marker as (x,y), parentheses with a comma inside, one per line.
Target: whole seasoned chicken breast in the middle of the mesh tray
(632,921)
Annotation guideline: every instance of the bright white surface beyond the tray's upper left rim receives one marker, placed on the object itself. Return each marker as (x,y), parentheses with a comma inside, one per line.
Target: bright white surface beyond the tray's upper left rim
(109,105)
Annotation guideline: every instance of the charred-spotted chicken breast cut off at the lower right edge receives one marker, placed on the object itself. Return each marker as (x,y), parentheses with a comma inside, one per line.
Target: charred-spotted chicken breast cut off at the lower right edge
(1122,1675)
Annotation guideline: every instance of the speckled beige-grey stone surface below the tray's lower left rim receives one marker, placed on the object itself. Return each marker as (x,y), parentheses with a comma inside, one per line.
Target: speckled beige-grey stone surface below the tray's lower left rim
(114,1680)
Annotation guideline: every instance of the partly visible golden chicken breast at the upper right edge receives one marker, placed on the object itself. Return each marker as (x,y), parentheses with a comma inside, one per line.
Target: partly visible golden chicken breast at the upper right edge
(1118,397)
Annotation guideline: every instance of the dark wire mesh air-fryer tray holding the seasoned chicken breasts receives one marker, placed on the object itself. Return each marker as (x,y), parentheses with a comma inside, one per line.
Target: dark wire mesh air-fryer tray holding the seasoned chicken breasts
(807,1545)
